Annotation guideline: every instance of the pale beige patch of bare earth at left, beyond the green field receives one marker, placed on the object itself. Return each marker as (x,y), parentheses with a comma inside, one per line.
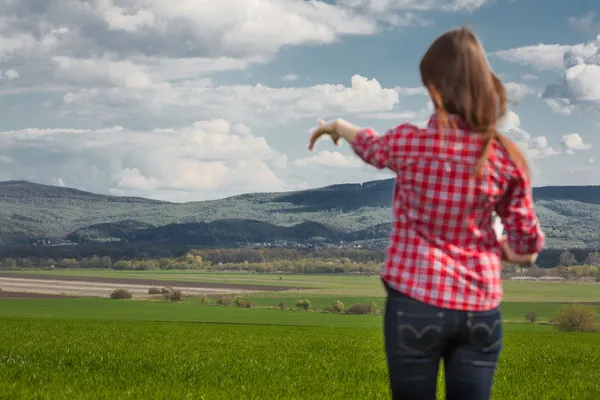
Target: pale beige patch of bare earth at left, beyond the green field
(102,287)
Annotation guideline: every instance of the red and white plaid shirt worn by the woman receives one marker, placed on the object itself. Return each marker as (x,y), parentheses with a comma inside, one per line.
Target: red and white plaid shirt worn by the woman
(443,250)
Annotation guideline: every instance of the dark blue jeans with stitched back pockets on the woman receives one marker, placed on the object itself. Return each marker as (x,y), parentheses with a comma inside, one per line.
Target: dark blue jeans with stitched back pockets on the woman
(418,336)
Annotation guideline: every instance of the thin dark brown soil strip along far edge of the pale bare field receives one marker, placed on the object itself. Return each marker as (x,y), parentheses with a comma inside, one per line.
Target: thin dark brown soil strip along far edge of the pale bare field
(152,282)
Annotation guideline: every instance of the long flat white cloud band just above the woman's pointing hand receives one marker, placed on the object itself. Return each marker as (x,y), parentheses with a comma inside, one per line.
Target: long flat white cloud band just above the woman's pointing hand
(237,102)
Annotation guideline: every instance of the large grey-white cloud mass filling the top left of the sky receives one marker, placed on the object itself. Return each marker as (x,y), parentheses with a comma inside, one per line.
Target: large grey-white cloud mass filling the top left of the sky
(138,42)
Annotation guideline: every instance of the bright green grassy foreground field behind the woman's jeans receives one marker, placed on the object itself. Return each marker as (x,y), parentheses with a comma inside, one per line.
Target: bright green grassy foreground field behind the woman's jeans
(76,359)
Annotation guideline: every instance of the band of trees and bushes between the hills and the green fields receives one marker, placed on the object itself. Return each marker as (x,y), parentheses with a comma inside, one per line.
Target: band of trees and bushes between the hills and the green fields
(273,260)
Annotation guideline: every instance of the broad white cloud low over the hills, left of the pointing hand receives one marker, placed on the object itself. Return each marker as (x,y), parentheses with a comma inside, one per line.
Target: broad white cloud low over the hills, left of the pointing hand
(207,157)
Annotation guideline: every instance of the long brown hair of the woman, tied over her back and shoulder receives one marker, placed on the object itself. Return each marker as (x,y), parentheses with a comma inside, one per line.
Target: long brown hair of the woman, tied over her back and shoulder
(460,81)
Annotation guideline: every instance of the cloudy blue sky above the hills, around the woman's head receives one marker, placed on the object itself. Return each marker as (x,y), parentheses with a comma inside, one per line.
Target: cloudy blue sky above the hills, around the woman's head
(186,100)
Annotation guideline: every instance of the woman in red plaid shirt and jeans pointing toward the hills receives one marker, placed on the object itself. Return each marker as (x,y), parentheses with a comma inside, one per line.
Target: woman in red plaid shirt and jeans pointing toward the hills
(443,267)
